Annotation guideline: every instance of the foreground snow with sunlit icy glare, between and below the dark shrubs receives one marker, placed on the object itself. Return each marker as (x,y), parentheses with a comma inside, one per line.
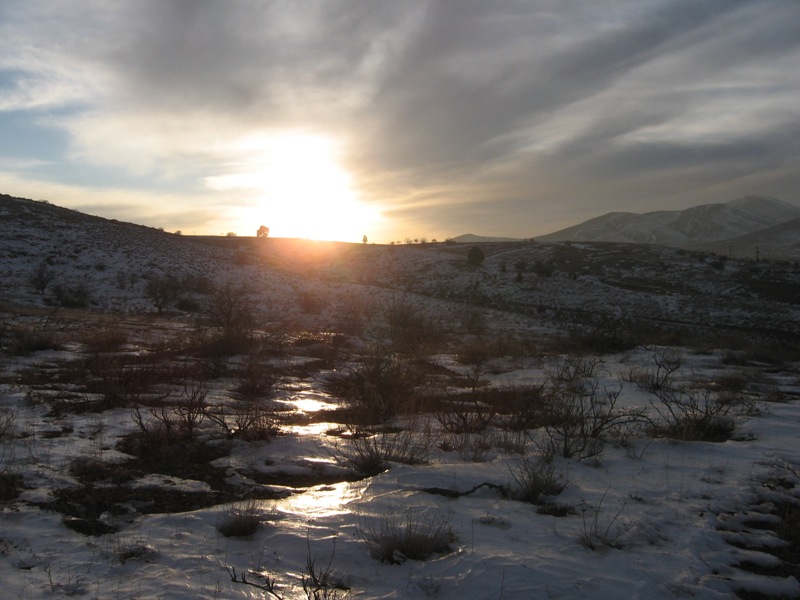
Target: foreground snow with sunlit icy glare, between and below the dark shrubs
(647,518)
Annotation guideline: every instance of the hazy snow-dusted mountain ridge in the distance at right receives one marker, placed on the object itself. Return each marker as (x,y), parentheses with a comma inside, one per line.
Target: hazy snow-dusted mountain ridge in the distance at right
(700,226)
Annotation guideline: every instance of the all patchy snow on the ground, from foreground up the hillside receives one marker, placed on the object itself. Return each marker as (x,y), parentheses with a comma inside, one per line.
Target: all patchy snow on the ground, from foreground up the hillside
(667,519)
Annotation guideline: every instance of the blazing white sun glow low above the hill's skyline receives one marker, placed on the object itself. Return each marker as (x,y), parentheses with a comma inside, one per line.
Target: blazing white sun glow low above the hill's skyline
(295,185)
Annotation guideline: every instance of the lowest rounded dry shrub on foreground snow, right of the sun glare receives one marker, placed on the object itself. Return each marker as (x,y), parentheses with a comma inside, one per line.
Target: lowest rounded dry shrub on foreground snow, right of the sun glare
(412,535)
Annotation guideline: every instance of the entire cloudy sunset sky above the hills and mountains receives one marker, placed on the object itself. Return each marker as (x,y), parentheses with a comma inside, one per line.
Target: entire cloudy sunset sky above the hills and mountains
(395,120)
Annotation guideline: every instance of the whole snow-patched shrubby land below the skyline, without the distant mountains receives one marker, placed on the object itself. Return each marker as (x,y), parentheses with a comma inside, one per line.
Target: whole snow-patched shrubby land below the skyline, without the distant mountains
(570,419)
